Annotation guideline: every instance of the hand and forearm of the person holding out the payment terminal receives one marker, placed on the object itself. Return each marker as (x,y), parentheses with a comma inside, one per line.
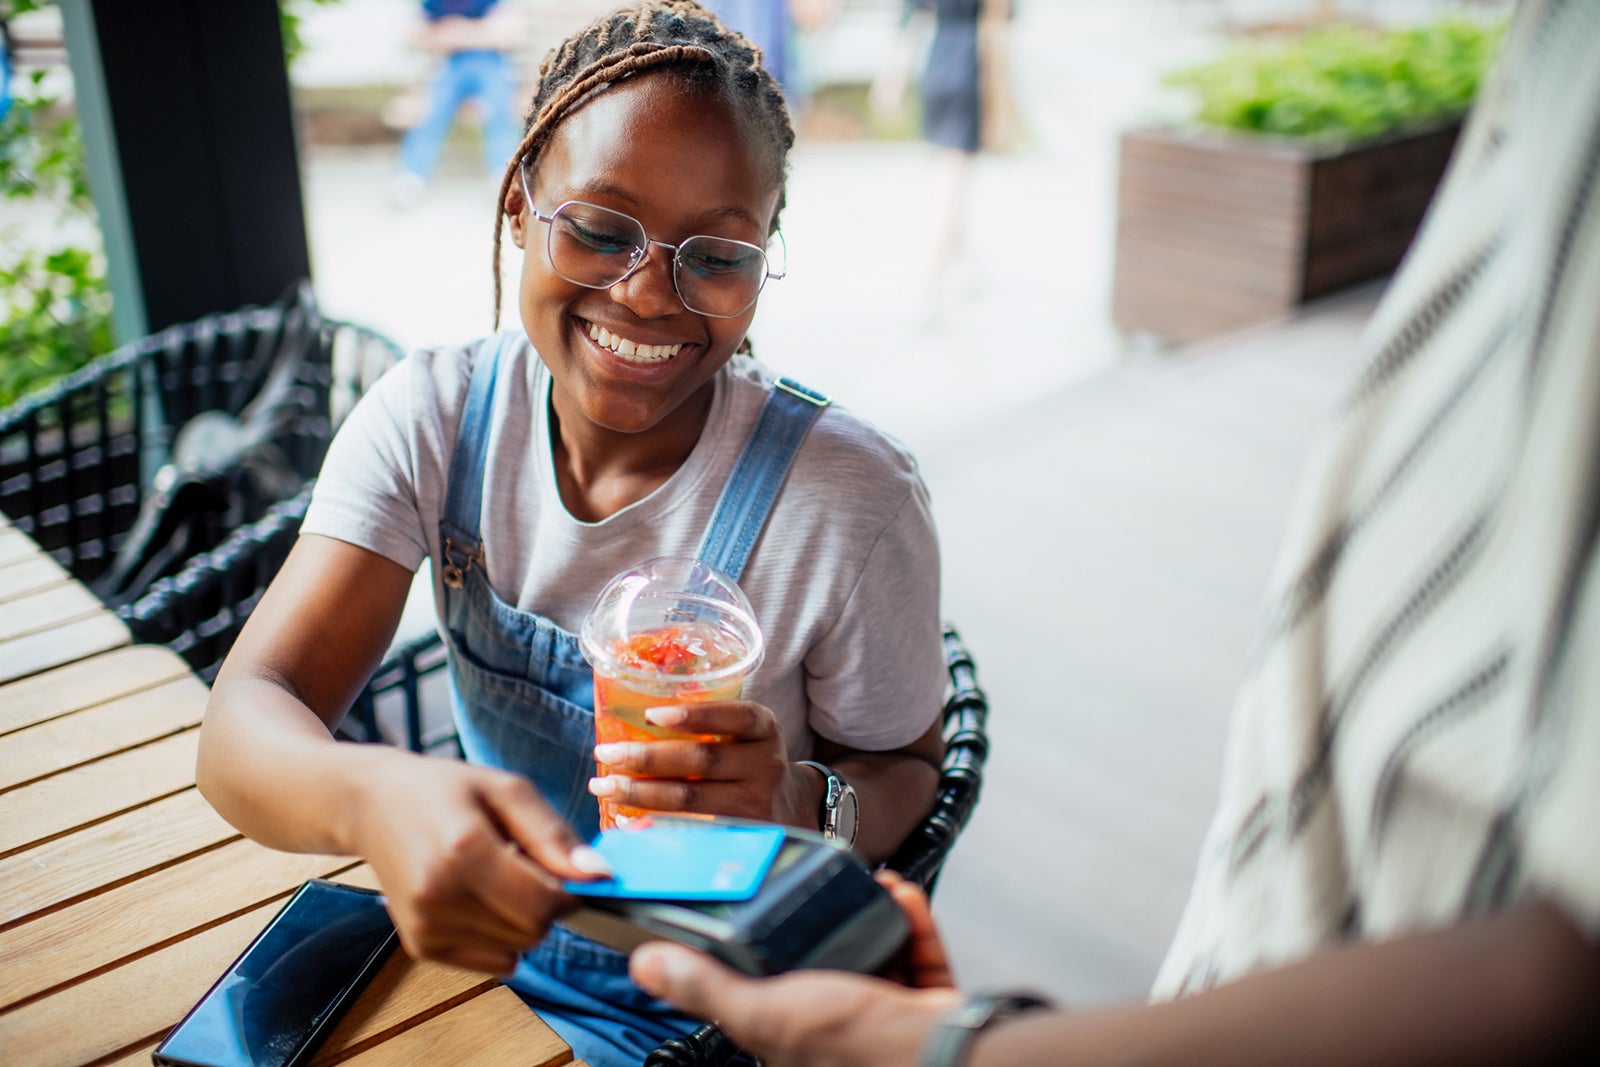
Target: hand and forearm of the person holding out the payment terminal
(1511,989)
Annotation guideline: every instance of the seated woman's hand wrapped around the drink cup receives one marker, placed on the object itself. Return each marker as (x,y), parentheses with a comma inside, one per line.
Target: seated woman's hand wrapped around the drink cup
(746,773)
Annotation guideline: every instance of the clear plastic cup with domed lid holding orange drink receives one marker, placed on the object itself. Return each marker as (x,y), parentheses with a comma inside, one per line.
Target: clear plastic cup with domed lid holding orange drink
(670,631)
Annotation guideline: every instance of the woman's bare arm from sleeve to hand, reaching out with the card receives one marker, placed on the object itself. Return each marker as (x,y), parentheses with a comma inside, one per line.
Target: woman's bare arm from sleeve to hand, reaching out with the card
(470,857)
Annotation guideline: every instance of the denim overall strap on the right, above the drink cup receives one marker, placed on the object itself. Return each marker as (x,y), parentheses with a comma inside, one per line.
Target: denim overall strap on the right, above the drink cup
(759,474)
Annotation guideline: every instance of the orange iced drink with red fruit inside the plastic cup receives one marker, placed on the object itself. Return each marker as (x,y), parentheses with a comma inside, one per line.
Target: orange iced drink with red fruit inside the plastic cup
(681,657)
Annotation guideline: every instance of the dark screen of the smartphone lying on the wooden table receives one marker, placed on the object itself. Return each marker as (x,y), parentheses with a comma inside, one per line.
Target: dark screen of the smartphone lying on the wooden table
(290,985)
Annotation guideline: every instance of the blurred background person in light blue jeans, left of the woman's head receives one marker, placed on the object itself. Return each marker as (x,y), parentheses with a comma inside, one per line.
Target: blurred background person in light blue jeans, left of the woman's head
(473,41)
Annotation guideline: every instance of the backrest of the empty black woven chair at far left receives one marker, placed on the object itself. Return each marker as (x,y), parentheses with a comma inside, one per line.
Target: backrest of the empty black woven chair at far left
(78,458)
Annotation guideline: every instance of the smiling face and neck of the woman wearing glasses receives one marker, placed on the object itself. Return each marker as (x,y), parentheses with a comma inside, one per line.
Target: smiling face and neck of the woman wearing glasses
(620,414)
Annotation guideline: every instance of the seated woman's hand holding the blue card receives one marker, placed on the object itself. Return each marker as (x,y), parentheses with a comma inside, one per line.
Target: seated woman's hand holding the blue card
(471,860)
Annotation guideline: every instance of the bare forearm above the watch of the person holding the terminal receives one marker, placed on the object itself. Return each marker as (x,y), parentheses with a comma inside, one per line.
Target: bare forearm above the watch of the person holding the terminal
(1513,989)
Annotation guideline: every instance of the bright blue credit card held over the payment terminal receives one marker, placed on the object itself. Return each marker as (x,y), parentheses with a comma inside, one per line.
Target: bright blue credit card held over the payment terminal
(684,861)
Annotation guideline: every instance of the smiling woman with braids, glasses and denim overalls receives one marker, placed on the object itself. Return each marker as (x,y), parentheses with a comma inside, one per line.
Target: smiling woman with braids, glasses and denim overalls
(625,420)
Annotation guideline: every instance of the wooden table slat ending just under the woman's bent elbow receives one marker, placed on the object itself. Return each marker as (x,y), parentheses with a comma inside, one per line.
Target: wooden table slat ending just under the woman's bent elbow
(121,849)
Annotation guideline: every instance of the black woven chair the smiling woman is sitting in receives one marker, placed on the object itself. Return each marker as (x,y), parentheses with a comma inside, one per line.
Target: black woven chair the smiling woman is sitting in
(921,858)
